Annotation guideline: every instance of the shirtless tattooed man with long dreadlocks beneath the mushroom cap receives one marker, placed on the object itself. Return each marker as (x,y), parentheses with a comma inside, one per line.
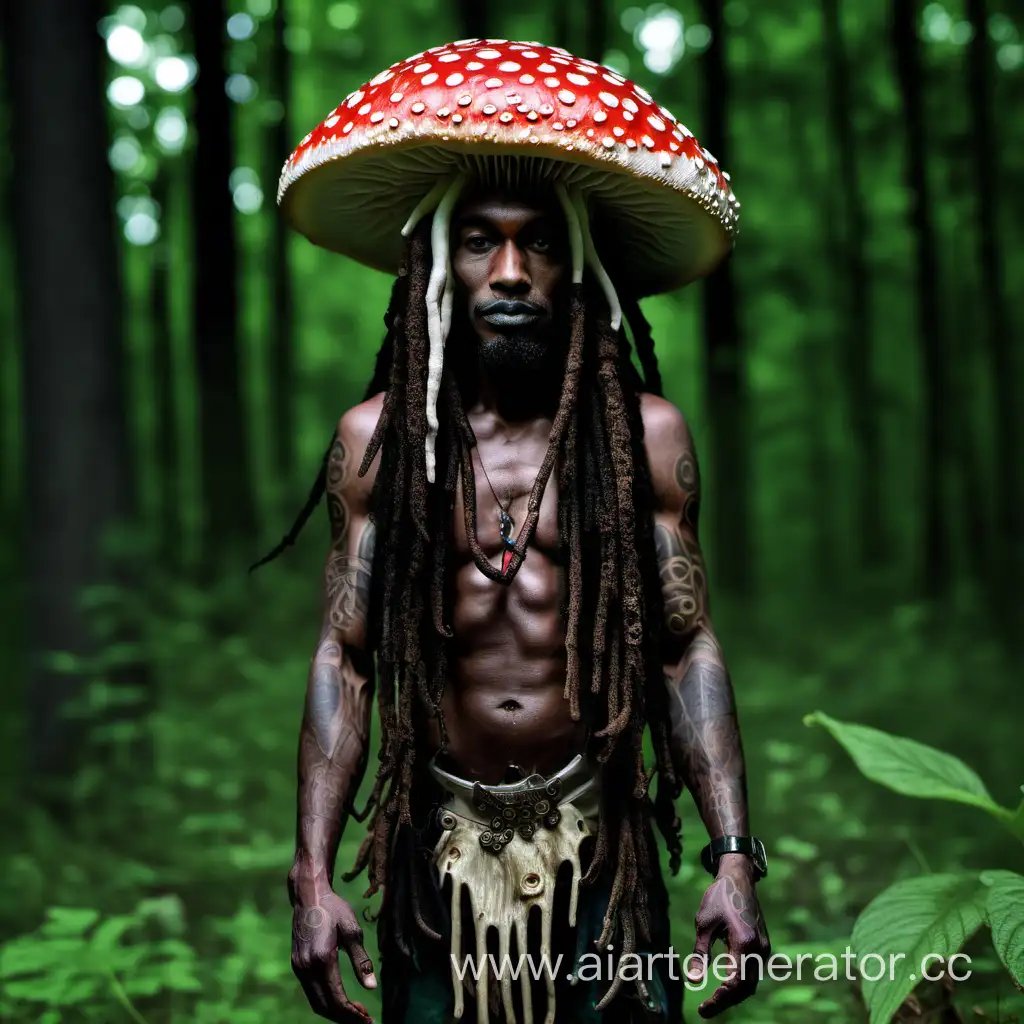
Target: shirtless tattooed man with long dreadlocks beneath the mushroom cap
(505,707)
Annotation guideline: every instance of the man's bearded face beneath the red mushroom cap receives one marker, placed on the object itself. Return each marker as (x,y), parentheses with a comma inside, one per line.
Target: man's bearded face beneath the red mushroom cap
(510,261)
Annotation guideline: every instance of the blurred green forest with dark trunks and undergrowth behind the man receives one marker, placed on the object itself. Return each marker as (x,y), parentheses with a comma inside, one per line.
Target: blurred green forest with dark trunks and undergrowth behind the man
(174,363)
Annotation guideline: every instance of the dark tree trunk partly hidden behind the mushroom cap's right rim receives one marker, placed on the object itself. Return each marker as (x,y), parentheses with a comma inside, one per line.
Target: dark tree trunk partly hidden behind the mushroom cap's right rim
(724,366)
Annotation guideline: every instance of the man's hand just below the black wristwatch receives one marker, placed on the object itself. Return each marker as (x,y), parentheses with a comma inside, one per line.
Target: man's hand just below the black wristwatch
(730,912)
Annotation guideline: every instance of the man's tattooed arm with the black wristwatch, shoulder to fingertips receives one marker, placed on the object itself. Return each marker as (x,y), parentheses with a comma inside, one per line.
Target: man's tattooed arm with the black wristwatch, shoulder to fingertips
(706,742)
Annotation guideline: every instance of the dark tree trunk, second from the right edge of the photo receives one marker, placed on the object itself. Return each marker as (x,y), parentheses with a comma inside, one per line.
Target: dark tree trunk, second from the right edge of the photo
(934,534)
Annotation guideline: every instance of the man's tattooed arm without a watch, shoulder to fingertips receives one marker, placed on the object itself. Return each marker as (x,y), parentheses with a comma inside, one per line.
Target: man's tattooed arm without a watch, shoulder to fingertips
(333,742)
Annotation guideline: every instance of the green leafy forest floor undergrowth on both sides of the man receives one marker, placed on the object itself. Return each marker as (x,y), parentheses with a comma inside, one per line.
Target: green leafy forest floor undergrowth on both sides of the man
(163,900)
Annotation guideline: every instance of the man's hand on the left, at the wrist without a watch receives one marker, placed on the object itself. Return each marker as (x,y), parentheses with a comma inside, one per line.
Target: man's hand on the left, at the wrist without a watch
(323,923)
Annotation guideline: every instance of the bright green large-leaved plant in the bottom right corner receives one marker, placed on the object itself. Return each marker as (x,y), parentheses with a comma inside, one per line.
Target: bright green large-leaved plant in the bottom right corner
(934,915)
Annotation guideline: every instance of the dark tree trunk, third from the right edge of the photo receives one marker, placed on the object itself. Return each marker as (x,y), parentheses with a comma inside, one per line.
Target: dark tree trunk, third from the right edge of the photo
(857,339)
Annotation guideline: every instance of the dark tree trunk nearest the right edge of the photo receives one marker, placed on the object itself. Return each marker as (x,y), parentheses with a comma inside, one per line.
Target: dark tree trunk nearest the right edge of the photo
(1008,560)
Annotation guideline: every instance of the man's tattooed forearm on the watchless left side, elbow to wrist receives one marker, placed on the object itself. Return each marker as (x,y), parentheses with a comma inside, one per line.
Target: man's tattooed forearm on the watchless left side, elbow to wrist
(333,753)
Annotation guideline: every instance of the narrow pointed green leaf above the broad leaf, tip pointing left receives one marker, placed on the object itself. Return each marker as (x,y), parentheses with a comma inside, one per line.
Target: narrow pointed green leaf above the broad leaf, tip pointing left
(910,767)
